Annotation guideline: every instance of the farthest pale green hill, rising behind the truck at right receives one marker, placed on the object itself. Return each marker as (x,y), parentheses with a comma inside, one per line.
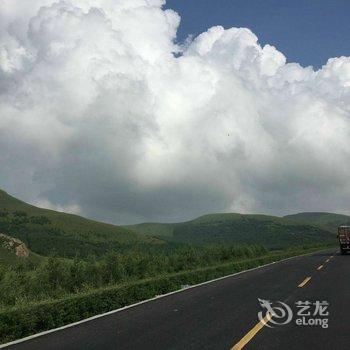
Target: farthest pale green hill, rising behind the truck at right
(328,221)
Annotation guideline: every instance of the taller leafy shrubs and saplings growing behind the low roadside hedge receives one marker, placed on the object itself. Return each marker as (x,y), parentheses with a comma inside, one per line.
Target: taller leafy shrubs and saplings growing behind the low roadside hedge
(55,277)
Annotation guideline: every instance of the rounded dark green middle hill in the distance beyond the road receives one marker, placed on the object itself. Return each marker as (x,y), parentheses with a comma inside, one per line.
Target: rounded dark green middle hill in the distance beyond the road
(273,232)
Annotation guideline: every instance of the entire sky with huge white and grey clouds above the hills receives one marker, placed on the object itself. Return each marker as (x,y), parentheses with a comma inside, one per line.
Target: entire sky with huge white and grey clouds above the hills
(108,109)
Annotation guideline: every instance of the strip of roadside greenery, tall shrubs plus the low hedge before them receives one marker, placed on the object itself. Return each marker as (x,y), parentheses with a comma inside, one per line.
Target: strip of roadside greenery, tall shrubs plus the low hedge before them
(67,291)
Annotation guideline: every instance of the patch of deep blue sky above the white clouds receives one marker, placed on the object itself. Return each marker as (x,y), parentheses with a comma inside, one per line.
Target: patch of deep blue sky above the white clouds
(305,31)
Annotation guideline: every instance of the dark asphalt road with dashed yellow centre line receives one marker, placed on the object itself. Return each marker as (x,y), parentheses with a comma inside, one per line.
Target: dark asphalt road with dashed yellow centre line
(224,314)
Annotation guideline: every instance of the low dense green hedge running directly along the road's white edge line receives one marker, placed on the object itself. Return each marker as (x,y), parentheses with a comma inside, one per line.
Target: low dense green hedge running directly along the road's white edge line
(22,321)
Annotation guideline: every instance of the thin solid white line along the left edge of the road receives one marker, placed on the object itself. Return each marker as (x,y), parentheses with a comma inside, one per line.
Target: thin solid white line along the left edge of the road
(146,301)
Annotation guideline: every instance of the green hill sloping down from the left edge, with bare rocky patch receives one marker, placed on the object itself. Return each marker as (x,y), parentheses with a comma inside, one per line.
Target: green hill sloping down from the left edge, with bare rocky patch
(46,231)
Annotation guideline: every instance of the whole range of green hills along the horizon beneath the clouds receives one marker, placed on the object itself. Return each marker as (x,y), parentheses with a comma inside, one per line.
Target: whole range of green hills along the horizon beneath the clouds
(47,232)
